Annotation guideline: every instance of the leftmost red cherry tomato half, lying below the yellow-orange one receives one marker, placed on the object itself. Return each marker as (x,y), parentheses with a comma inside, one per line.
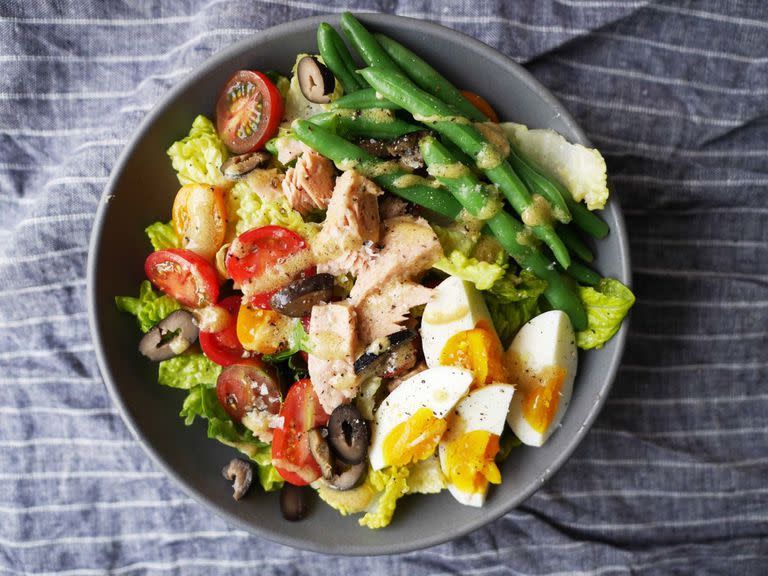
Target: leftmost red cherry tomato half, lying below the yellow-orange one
(183,275)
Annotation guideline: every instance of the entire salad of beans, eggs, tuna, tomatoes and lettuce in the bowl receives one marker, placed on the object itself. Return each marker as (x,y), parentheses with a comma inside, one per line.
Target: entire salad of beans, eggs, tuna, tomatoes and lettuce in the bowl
(368,284)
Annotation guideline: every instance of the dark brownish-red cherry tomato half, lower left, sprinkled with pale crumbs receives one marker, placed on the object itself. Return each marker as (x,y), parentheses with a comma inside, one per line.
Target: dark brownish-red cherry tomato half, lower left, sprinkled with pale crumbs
(241,388)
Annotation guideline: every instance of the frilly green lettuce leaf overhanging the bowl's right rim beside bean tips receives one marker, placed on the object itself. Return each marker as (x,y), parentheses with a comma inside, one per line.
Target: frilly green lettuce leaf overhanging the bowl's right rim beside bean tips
(607,304)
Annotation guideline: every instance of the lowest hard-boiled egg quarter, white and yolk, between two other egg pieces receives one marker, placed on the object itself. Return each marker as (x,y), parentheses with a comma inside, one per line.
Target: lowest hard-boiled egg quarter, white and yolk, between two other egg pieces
(471,442)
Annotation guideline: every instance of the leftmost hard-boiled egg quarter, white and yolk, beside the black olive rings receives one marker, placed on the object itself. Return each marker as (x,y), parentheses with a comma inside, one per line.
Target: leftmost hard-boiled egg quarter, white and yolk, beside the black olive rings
(411,420)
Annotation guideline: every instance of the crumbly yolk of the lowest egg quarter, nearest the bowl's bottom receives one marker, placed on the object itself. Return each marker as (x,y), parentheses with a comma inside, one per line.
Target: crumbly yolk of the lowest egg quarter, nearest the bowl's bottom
(469,461)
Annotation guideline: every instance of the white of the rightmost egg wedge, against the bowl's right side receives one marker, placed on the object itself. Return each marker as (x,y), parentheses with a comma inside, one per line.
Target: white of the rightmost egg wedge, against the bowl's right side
(546,340)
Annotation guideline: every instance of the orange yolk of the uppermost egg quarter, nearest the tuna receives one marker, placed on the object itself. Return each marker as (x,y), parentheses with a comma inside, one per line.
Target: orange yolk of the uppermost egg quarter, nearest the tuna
(479,351)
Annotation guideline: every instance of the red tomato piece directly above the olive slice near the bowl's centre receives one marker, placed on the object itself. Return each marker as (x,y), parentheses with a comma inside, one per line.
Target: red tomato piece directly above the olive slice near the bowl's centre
(259,250)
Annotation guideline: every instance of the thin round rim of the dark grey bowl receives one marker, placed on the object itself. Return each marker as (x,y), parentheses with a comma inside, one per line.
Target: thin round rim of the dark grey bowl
(217,59)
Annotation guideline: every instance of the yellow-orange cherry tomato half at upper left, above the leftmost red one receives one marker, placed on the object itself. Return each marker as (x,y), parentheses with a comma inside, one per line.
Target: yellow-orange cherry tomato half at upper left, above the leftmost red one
(200,218)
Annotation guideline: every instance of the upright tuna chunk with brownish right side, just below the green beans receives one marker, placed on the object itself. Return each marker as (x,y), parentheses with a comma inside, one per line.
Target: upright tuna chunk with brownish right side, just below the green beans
(352,221)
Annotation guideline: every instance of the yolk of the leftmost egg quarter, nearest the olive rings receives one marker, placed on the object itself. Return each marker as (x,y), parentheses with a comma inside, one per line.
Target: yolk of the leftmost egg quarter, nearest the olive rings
(413,439)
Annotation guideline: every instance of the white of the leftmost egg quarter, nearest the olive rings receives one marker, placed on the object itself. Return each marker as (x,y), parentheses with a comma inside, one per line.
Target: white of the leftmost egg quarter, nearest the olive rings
(438,389)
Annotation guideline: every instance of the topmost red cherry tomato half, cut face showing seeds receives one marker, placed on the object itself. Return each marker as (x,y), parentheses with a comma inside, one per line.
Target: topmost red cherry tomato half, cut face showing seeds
(248,111)
